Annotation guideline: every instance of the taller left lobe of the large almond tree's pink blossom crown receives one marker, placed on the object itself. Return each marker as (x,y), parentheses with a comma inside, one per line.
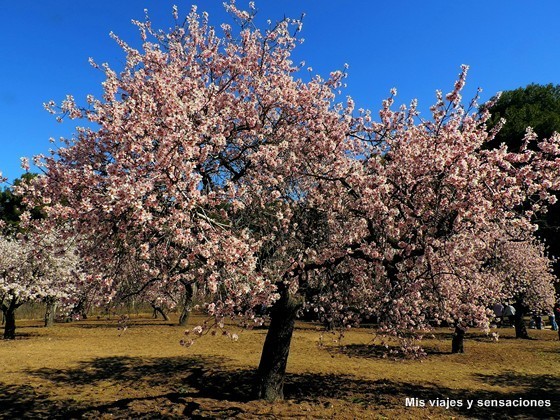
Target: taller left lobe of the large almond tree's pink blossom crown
(195,129)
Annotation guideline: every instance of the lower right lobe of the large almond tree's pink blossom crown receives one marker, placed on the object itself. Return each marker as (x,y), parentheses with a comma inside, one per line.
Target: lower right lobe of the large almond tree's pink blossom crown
(423,206)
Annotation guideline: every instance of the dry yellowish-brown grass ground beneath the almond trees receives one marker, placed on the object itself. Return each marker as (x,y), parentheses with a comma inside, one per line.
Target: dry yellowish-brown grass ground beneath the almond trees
(87,370)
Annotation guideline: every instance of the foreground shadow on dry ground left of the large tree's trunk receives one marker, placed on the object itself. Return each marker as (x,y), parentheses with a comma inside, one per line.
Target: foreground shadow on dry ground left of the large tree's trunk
(183,380)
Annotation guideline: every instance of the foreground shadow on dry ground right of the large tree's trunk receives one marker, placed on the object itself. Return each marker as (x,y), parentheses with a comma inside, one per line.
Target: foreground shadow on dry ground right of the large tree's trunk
(541,391)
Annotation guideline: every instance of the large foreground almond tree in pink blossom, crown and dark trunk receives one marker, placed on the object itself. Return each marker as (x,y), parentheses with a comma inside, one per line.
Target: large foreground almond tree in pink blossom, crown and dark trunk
(213,165)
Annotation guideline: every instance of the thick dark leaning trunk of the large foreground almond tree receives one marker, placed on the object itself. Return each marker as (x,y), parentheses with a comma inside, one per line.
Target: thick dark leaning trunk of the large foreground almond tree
(274,358)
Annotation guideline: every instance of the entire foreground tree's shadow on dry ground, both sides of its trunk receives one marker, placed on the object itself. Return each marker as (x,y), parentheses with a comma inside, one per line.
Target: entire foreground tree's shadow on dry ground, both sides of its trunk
(203,387)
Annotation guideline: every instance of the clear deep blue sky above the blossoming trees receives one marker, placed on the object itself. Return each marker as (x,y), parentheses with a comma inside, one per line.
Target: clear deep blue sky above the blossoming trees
(414,46)
